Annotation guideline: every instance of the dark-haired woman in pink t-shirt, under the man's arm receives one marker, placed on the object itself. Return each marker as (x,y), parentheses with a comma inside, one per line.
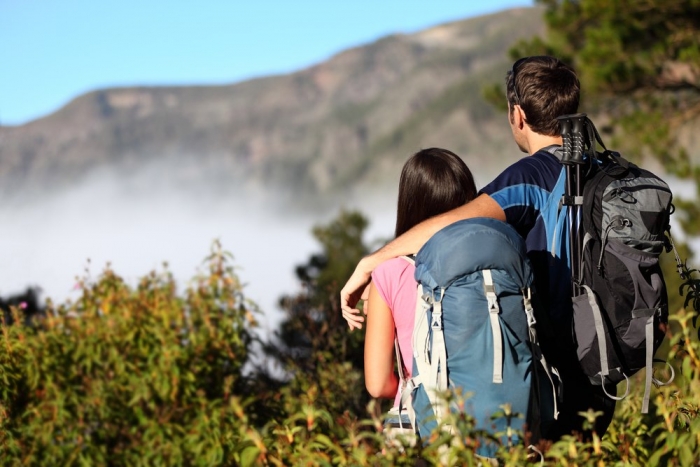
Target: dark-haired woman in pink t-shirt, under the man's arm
(432,181)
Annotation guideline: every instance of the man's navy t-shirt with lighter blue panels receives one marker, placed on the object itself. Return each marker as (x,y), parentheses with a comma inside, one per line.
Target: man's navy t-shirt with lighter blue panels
(529,192)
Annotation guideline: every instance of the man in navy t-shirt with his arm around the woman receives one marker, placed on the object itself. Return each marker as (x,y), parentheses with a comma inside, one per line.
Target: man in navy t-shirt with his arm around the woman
(527,196)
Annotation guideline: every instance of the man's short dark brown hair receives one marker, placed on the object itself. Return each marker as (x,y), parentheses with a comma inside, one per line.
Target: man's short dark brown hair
(545,88)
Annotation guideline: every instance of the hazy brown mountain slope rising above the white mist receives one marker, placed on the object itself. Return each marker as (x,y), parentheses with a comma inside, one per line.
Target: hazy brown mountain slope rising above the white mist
(350,121)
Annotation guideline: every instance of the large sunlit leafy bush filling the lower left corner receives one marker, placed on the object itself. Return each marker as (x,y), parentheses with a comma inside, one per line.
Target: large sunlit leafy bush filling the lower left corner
(128,375)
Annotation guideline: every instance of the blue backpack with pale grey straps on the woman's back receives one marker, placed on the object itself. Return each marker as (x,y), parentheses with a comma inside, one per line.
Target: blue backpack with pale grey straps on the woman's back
(474,333)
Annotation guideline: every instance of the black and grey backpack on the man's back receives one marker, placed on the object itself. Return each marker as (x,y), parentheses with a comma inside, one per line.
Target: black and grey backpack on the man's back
(622,300)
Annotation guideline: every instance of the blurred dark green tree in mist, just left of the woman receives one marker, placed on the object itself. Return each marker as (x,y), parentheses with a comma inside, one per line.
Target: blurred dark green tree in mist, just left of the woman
(314,336)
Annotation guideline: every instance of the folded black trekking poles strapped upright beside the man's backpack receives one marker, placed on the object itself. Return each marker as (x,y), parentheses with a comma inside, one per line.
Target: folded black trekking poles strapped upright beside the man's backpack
(572,129)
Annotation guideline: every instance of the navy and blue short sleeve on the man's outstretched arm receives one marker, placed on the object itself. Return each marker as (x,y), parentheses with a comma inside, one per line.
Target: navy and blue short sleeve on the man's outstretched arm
(520,192)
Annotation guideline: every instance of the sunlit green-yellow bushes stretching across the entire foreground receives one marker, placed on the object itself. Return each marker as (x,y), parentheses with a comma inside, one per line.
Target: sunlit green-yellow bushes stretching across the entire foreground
(146,376)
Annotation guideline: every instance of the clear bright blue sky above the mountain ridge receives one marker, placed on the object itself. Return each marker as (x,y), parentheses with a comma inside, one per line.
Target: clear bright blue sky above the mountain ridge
(53,51)
